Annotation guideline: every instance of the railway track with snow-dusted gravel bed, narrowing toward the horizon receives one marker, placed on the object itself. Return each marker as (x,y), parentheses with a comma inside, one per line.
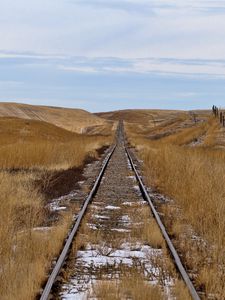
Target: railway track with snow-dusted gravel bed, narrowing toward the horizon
(112,191)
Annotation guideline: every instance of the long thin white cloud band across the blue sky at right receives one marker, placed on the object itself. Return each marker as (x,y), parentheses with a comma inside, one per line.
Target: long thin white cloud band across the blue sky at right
(212,68)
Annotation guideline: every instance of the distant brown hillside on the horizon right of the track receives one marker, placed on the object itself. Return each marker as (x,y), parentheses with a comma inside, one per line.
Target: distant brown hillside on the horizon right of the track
(158,124)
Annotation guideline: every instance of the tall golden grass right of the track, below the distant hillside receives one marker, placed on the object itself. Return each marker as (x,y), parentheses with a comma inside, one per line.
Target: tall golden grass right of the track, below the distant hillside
(194,177)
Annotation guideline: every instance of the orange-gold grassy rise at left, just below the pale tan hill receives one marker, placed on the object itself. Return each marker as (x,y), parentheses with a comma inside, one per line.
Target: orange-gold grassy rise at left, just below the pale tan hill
(35,144)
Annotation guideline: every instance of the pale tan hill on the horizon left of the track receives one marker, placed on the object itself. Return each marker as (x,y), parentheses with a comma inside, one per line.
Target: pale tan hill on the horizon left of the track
(75,120)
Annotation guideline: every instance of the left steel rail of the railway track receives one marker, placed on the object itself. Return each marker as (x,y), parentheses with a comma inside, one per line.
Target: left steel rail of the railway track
(47,289)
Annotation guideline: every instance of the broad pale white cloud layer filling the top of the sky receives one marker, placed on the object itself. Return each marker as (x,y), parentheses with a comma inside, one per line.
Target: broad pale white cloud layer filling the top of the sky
(162,28)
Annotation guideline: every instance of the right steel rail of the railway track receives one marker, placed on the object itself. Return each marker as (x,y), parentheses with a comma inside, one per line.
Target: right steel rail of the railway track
(170,245)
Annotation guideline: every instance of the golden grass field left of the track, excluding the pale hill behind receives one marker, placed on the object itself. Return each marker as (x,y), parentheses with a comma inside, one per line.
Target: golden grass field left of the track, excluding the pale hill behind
(33,151)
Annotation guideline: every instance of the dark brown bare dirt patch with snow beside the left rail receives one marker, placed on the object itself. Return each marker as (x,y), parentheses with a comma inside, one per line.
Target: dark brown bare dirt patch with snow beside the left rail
(66,190)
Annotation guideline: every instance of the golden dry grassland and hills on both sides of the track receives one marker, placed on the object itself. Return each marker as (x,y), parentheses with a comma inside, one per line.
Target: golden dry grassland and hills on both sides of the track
(183,158)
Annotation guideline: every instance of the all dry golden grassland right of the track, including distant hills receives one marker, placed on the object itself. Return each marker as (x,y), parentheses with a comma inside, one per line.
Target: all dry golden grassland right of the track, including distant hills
(183,157)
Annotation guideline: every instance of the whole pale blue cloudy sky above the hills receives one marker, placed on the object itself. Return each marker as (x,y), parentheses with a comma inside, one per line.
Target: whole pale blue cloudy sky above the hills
(103,55)
